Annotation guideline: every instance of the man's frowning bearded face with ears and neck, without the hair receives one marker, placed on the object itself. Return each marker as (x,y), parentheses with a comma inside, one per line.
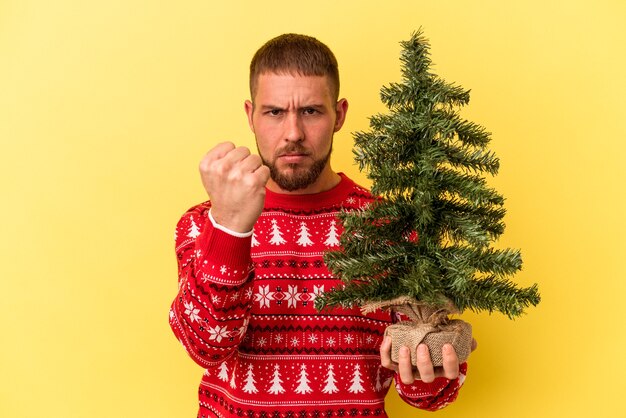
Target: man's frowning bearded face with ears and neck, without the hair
(294,119)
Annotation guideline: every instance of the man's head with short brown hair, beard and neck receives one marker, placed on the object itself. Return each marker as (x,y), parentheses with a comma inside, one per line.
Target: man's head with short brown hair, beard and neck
(294,112)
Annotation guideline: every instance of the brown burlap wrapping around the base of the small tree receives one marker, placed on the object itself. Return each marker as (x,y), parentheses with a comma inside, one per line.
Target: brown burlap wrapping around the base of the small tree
(428,325)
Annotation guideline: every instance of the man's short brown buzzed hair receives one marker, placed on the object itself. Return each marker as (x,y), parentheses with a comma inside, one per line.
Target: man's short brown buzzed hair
(295,54)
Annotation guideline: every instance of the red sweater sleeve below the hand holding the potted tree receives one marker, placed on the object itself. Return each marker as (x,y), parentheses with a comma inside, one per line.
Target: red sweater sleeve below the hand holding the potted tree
(431,396)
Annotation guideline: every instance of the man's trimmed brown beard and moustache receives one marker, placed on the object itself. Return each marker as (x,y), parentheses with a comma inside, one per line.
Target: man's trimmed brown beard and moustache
(295,177)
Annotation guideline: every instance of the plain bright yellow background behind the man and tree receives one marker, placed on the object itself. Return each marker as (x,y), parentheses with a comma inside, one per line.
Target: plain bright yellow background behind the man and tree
(107,107)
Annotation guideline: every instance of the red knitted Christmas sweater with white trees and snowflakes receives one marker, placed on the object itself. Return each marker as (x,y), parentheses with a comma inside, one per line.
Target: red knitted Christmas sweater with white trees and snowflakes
(245,313)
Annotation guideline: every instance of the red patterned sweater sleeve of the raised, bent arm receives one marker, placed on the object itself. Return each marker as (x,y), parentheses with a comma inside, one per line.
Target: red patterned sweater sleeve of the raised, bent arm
(210,313)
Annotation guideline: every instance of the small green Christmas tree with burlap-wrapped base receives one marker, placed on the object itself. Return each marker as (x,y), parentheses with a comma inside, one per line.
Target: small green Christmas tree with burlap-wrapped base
(424,248)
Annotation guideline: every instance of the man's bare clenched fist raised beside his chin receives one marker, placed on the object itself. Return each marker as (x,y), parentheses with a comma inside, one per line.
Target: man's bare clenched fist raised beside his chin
(235,181)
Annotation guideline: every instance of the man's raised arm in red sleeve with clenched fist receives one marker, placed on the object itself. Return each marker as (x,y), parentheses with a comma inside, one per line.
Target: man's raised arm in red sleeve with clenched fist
(209,315)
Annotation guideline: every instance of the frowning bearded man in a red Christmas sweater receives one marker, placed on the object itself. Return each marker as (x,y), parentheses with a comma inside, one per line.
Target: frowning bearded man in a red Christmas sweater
(250,263)
